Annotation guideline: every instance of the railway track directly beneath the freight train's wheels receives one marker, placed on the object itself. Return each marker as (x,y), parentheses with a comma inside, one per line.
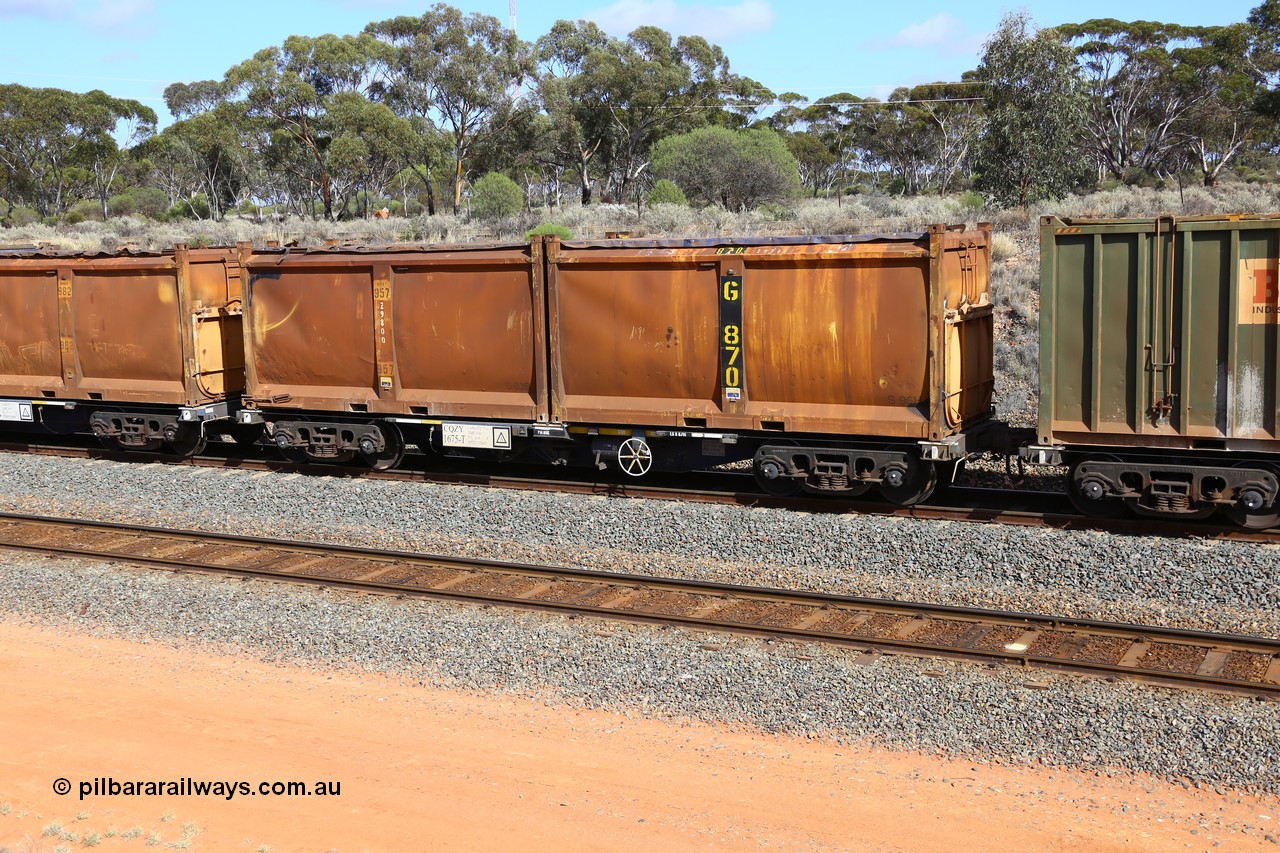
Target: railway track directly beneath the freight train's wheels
(958,504)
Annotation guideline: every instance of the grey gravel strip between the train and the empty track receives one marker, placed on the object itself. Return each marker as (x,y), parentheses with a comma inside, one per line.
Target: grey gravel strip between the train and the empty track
(1213,586)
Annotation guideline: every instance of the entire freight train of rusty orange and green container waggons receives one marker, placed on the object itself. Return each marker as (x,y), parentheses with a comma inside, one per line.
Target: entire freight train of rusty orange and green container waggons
(840,366)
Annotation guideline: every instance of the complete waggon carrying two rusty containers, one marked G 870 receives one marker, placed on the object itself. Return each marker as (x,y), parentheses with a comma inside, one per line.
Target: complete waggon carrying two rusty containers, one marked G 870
(836,364)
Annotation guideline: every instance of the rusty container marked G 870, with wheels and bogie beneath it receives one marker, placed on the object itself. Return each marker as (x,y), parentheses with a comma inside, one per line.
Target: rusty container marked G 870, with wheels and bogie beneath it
(847,362)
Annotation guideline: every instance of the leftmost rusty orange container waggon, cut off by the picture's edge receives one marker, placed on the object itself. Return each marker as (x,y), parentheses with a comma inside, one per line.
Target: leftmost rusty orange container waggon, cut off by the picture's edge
(145,349)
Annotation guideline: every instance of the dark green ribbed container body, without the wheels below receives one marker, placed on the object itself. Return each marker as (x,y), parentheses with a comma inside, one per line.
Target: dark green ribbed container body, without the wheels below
(1160,332)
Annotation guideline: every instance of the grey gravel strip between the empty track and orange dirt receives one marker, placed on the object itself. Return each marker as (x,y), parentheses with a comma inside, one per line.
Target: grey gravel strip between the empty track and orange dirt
(1000,715)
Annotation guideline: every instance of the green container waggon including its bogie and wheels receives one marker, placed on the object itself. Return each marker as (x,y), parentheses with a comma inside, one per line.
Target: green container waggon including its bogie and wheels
(1160,367)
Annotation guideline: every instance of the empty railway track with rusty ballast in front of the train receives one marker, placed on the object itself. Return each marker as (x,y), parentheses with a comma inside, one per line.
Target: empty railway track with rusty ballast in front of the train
(1160,655)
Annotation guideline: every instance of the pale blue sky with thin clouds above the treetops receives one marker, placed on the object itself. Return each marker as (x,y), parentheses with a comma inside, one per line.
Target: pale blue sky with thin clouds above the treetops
(816,48)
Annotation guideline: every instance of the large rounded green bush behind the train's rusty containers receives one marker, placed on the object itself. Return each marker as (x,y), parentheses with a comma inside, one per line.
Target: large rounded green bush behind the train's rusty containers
(738,170)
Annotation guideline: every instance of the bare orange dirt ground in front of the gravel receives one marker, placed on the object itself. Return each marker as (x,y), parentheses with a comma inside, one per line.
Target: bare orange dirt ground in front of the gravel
(426,769)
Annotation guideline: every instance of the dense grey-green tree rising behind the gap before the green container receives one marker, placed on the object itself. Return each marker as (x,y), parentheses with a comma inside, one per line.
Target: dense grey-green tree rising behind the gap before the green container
(1032,148)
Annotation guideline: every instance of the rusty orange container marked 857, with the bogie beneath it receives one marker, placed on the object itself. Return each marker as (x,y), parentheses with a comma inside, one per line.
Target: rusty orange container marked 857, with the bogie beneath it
(351,349)
